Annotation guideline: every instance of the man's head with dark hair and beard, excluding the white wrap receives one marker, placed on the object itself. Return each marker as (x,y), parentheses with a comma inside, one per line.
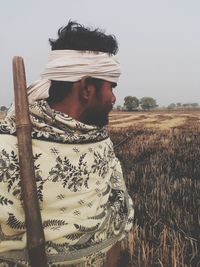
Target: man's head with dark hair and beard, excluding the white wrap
(89,99)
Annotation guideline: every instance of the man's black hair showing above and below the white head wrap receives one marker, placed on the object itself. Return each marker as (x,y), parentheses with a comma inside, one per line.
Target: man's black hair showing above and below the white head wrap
(75,36)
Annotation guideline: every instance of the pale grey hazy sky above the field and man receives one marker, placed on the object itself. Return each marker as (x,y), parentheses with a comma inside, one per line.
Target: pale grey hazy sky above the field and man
(159,43)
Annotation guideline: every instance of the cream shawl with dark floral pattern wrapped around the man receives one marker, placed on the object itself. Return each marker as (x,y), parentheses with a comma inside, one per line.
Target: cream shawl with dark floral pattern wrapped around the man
(84,202)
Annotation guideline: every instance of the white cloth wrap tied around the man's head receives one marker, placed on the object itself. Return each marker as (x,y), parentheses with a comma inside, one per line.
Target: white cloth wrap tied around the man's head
(71,66)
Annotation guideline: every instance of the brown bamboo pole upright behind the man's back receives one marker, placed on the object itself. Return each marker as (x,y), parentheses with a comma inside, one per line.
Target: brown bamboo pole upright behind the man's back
(35,234)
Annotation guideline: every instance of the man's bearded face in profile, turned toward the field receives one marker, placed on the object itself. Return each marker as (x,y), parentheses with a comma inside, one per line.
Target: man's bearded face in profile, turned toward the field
(102,103)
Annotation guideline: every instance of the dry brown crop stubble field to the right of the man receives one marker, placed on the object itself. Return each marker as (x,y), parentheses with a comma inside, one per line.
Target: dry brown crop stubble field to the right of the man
(160,156)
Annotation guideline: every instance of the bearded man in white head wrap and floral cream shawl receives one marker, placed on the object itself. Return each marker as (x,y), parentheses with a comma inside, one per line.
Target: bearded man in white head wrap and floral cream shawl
(84,202)
